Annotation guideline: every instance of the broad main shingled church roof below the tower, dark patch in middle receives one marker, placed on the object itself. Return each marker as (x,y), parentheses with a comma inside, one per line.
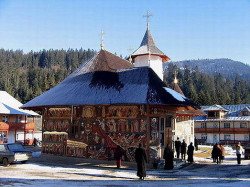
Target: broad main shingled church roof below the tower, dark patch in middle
(101,81)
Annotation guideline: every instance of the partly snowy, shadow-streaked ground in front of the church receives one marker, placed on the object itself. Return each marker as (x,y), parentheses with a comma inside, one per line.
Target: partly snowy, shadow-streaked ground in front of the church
(50,170)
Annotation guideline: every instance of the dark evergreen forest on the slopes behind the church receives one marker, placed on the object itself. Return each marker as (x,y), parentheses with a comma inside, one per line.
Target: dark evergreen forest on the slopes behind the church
(27,75)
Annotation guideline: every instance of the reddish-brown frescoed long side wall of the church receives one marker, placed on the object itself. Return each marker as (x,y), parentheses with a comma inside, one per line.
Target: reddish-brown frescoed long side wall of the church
(101,128)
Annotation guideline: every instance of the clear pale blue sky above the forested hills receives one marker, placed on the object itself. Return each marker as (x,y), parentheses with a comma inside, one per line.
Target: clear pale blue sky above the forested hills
(182,29)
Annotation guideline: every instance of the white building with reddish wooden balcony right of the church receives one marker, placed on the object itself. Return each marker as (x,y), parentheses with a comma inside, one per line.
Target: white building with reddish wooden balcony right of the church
(228,124)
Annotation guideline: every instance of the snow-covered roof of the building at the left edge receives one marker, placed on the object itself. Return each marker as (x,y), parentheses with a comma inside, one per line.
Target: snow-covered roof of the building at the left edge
(9,105)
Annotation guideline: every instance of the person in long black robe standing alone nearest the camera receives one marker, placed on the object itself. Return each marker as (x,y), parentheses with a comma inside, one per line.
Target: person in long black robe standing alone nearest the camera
(141,160)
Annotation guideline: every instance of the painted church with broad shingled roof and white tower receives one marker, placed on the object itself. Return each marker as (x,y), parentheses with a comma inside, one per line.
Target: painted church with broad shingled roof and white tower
(109,101)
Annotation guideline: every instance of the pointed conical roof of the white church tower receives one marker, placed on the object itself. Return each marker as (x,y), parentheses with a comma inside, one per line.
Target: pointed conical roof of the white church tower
(148,47)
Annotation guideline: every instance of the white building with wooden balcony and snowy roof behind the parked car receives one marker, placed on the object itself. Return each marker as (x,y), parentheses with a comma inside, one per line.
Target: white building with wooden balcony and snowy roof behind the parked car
(14,125)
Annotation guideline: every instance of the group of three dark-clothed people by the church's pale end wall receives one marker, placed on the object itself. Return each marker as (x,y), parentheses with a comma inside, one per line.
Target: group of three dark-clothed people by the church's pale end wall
(181,147)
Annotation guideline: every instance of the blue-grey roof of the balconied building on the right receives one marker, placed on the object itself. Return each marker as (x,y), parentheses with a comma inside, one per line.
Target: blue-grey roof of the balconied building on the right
(232,113)
